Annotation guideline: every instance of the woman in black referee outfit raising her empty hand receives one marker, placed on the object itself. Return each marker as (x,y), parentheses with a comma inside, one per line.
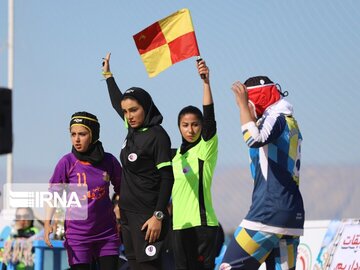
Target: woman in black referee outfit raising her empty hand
(147,174)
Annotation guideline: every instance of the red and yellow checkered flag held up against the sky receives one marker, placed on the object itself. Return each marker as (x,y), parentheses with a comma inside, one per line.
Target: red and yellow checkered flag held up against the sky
(167,42)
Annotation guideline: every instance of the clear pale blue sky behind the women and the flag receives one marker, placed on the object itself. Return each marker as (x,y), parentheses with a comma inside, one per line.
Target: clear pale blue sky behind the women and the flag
(311,48)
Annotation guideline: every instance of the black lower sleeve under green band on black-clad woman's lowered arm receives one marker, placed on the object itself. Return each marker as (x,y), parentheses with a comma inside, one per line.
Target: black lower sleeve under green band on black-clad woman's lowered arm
(167,181)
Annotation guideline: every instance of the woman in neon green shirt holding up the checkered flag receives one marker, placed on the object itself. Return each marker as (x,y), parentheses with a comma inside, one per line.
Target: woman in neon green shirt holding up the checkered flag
(195,225)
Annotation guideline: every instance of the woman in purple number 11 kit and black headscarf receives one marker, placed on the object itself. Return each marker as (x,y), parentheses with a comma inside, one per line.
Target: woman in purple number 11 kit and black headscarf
(96,237)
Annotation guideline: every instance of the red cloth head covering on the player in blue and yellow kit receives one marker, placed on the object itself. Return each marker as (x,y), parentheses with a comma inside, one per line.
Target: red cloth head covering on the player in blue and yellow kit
(262,96)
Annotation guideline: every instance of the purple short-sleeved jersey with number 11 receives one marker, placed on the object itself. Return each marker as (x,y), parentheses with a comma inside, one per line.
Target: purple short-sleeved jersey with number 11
(101,222)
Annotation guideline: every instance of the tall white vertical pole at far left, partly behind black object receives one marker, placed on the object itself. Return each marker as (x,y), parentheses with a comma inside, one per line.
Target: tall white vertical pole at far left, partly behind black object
(9,167)
